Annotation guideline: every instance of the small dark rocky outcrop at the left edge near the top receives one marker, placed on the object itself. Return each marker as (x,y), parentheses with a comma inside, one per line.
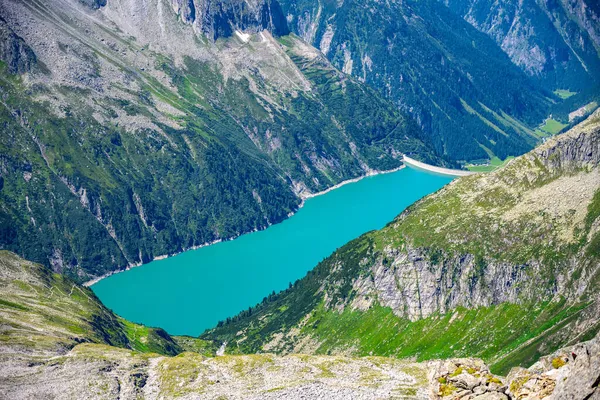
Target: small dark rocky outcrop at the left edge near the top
(18,56)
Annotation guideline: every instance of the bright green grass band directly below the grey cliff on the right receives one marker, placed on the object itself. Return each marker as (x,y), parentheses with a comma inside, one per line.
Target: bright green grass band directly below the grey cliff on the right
(493,333)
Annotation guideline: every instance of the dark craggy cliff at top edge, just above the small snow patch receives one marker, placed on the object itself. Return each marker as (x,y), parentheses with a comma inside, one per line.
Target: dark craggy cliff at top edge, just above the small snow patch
(220,18)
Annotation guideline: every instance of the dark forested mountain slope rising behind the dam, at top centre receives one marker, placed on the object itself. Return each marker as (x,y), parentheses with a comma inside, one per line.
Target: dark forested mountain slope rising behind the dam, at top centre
(464,91)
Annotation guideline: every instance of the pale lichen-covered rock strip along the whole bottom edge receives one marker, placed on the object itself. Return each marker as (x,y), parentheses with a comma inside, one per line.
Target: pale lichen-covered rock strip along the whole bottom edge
(105,372)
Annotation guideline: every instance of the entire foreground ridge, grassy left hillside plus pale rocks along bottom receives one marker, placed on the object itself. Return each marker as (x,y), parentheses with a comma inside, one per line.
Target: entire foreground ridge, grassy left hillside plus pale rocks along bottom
(50,346)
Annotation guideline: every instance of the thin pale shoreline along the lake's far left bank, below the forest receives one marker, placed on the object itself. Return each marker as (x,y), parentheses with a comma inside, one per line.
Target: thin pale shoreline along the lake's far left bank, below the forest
(303,197)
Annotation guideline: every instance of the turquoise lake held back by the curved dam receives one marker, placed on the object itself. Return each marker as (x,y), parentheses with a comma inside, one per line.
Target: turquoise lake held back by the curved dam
(192,291)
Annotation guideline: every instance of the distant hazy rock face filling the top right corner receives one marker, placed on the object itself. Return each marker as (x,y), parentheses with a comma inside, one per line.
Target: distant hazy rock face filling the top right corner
(554,41)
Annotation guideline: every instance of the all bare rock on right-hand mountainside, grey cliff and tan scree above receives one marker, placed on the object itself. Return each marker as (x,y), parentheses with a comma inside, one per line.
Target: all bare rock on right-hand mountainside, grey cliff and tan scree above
(417,281)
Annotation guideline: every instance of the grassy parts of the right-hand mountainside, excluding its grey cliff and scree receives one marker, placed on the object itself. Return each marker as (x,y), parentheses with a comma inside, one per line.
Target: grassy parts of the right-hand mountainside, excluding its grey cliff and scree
(460,219)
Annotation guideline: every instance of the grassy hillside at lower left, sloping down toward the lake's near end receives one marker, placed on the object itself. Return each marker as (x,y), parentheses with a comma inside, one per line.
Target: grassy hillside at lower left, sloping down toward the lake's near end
(41,311)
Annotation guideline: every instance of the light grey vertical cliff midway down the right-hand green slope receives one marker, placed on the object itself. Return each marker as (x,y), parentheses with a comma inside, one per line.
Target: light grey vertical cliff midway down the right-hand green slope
(415,287)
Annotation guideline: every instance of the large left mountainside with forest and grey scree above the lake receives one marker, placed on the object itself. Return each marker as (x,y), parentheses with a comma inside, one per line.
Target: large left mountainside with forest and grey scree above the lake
(129,133)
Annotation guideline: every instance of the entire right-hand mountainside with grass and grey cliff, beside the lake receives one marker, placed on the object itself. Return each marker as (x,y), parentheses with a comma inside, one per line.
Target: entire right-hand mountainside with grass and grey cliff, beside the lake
(503,266)
